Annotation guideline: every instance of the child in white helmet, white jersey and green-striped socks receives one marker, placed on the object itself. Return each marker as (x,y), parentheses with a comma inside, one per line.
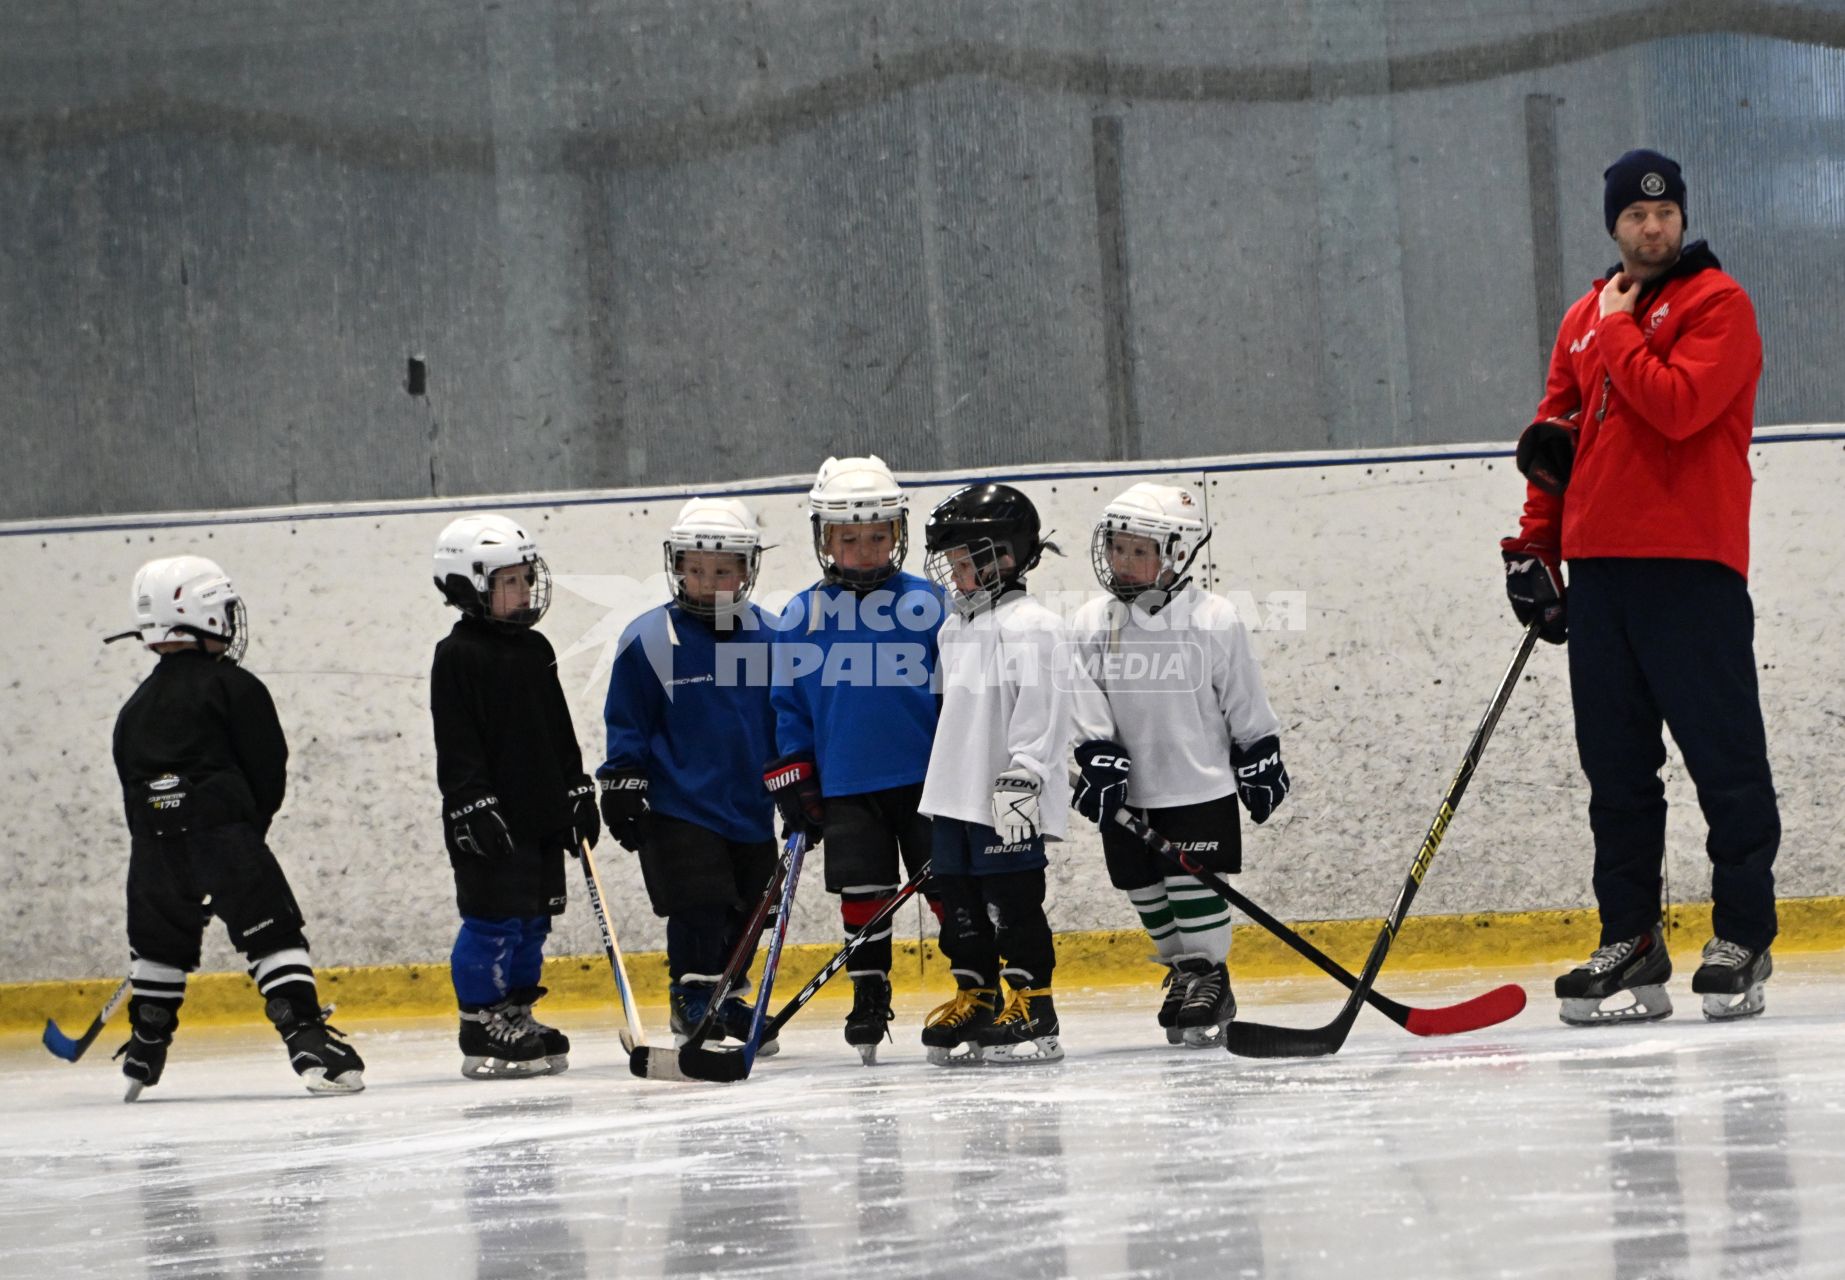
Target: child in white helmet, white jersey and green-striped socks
(1171,720)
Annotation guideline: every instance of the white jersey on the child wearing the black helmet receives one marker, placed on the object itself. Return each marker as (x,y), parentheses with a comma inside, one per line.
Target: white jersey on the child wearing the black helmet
(1005,705)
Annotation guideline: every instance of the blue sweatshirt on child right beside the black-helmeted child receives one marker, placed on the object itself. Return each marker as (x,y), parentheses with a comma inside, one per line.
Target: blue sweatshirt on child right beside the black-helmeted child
(855,683)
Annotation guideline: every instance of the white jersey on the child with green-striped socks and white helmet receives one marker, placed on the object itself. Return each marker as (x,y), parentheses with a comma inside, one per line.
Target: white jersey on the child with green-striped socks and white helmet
(1176,689)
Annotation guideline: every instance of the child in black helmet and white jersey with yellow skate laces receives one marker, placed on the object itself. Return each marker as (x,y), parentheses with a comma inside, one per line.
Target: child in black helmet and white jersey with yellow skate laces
(997,781)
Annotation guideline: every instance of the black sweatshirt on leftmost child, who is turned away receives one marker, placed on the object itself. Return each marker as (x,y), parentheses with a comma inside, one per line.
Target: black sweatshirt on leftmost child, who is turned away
(215,726)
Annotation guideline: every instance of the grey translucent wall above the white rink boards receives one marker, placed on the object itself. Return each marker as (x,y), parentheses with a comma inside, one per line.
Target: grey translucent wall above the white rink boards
(689,243)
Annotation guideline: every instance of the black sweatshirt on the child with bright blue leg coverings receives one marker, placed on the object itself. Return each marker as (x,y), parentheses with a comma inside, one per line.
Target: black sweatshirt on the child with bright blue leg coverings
(503,728)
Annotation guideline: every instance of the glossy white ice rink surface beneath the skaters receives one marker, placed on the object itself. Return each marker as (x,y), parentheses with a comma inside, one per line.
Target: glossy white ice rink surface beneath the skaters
(1530,1150)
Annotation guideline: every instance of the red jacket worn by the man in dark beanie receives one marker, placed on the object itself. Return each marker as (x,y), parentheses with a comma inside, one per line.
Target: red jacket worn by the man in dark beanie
(1667,401)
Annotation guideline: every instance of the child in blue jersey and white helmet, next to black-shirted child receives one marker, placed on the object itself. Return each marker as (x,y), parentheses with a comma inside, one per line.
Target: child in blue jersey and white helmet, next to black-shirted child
(689,729)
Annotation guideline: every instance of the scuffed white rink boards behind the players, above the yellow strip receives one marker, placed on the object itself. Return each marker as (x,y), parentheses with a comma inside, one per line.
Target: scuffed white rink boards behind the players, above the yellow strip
(1374,578)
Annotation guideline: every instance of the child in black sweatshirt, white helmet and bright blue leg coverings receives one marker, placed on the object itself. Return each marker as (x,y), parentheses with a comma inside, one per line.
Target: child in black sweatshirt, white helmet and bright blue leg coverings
(516,798)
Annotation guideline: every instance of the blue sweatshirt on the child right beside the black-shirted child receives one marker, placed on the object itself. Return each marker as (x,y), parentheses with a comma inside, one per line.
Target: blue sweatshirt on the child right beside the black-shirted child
(693,709)
